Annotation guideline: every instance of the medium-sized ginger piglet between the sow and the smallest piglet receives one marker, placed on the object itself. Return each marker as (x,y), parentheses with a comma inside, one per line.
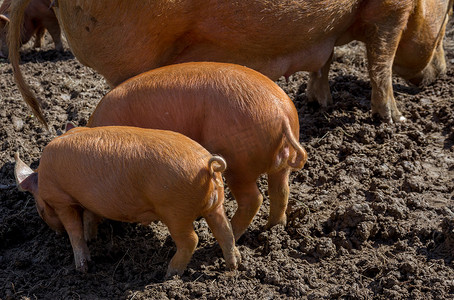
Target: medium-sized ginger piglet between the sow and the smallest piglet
(230,110)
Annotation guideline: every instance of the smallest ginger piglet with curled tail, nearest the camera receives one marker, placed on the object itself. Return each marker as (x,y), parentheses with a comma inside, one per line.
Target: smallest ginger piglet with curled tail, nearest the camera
(132,175)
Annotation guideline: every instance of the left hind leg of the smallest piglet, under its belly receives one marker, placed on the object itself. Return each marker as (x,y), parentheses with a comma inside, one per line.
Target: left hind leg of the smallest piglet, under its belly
(185,238)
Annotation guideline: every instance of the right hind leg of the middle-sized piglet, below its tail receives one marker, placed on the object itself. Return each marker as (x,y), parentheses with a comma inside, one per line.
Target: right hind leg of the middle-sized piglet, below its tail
(278,191)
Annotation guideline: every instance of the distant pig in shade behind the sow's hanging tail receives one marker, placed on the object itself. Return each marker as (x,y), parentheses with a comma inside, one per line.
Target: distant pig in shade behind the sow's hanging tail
(38,16)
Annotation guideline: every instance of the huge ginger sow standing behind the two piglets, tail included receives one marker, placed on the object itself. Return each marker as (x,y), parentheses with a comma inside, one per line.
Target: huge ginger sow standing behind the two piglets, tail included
(277,38)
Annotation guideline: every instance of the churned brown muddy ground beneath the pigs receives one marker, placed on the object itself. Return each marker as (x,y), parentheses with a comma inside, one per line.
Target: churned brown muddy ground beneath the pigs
(371,214)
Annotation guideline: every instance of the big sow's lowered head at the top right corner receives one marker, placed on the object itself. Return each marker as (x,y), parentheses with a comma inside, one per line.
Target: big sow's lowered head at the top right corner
(420,57)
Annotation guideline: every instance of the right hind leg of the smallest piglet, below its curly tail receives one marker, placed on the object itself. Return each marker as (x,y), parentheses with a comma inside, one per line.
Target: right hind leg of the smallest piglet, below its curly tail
(222,231)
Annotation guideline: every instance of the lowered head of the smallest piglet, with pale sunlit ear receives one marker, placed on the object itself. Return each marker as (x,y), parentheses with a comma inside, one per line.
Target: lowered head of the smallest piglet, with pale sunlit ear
(27,180)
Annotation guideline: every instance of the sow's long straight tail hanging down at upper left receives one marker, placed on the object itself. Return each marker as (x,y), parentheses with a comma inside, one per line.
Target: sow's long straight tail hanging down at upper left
(14,41)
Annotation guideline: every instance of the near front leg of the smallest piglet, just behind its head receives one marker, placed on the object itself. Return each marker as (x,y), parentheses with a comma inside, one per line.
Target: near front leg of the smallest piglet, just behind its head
(72,221)
